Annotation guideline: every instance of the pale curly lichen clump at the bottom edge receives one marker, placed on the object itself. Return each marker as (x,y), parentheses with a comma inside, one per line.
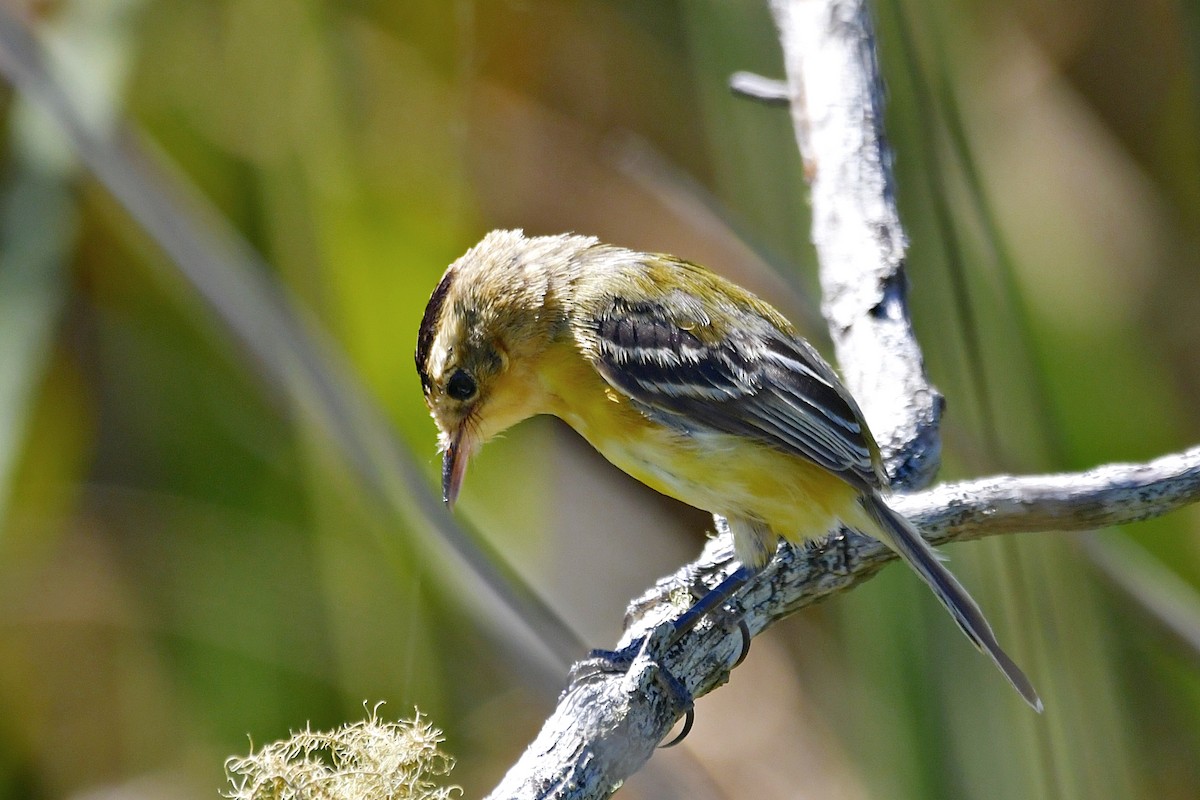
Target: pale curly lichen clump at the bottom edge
(370,760)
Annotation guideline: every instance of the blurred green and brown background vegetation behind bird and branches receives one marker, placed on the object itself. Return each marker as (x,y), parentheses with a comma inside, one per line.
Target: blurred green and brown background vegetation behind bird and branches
(190,560)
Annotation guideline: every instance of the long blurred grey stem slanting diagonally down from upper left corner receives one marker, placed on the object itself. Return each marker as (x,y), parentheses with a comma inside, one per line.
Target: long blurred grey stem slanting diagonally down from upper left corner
(289,351)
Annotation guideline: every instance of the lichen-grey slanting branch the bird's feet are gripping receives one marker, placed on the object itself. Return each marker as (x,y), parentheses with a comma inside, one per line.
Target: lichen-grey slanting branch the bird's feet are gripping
(608,724)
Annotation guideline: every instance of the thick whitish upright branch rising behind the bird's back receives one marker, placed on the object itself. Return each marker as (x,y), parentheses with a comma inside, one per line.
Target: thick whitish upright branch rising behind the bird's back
(838,115)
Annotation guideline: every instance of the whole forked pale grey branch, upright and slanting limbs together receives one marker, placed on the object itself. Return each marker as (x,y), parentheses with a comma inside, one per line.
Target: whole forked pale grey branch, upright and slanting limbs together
(837,103)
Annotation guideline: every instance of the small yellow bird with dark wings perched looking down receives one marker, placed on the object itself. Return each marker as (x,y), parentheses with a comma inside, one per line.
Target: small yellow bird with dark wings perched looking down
(681,378)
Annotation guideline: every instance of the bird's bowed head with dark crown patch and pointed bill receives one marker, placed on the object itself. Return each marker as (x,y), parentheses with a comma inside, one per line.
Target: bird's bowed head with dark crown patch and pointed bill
(489,321)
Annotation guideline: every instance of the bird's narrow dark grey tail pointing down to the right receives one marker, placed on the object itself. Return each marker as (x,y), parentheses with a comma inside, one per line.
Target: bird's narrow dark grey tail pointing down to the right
(901,536)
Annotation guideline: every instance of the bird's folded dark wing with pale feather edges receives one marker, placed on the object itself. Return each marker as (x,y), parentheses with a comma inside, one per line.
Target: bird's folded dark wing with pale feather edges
(753,380)
